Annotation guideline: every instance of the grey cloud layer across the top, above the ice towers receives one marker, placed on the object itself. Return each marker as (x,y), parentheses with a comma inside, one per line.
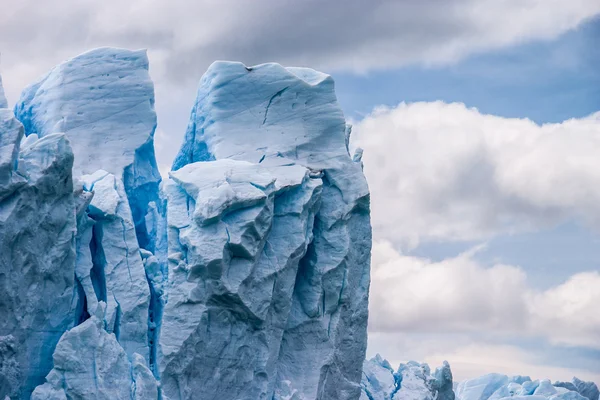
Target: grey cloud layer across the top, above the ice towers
(184,37)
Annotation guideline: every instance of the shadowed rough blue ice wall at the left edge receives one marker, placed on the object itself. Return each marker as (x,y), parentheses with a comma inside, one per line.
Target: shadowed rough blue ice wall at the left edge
(37,254)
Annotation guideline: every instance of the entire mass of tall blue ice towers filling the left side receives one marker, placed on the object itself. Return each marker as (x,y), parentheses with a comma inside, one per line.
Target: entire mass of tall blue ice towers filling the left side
(244,274)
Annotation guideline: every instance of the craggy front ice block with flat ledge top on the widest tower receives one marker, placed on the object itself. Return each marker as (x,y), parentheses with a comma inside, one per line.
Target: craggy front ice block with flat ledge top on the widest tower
(233,258)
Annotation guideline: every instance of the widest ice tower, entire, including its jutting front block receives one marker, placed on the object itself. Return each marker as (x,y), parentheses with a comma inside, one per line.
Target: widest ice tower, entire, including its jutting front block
(282,308)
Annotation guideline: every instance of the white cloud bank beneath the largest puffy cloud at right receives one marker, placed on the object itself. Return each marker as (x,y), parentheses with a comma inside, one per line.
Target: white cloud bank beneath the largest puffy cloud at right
(458,295)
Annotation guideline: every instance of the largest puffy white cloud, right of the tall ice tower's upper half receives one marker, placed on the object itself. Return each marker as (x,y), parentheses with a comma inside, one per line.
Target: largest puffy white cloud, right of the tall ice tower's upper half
(444,172)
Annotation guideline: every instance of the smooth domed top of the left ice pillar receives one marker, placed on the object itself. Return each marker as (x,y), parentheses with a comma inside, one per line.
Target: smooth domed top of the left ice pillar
(104,101)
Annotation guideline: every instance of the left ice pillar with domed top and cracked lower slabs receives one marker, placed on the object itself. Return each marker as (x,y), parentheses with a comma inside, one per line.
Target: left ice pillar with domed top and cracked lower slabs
(103,101)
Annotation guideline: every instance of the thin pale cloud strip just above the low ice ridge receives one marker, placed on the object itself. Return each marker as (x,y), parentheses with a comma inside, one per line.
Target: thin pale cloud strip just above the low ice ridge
(472,355)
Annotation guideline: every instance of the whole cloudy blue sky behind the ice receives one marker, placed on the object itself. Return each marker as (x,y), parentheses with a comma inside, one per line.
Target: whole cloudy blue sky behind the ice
(481,133)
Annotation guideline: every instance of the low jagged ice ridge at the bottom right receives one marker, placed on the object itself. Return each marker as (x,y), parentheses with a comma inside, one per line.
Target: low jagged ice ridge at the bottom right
(414,381)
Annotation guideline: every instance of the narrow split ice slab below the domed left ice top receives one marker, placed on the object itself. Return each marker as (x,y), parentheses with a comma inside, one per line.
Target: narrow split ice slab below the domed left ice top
(116,273)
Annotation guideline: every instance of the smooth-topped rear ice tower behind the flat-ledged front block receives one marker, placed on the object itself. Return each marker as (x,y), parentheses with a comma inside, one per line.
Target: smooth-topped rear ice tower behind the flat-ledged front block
(267,115)
